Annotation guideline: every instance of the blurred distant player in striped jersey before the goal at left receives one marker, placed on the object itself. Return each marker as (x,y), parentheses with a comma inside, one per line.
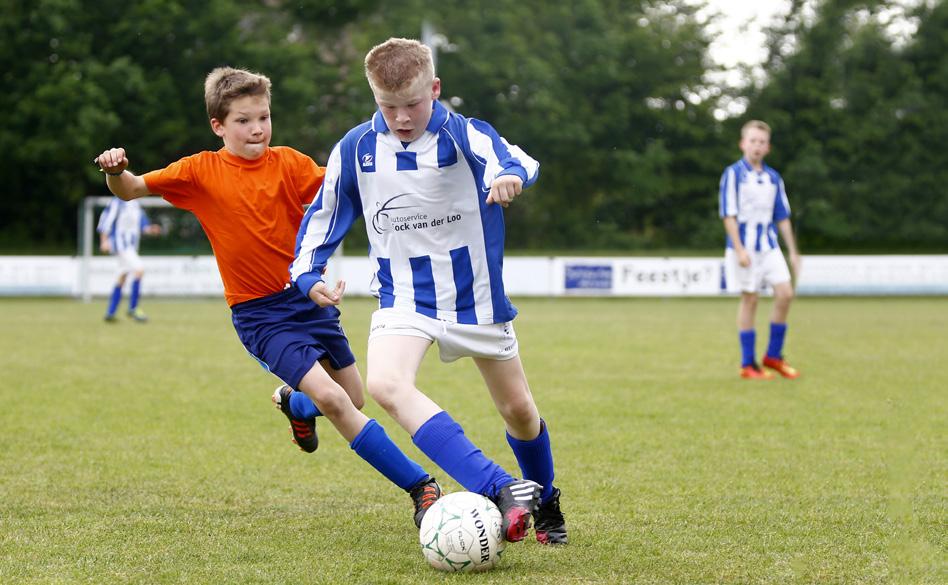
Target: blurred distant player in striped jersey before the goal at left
(120,232)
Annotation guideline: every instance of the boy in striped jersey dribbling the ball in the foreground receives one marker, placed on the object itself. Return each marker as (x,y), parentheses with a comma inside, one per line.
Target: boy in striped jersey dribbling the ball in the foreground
(431,186)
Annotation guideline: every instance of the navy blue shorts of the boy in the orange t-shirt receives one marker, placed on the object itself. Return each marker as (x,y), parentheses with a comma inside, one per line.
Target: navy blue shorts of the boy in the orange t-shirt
(288,333)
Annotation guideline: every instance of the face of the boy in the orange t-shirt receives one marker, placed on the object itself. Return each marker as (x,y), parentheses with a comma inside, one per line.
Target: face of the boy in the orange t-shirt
(246,130)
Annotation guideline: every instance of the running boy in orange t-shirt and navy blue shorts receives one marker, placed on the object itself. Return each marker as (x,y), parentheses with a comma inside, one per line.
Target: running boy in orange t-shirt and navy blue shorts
(249,199)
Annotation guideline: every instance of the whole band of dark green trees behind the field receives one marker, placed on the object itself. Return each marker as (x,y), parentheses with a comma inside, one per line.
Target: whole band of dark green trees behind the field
(610,96)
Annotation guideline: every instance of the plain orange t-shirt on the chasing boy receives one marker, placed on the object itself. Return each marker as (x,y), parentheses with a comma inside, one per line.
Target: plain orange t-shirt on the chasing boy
(250,210)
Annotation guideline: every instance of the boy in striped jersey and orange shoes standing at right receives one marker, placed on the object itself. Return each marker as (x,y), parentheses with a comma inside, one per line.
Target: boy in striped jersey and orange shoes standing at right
(754,206)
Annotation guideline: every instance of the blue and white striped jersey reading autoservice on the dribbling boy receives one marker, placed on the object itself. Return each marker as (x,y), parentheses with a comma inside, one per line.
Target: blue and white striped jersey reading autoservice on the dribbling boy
(436,246)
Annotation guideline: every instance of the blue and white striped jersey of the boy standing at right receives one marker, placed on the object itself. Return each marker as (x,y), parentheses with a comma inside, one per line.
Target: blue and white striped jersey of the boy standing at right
(758,200)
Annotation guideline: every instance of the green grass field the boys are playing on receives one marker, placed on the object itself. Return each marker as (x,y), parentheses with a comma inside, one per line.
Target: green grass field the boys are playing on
(151,454)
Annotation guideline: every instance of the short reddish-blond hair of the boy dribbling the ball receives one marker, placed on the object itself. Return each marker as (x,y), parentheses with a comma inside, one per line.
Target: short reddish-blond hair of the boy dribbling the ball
(397,64)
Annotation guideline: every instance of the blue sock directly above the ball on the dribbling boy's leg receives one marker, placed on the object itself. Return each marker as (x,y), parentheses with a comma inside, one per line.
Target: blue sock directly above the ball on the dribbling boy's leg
(444,442)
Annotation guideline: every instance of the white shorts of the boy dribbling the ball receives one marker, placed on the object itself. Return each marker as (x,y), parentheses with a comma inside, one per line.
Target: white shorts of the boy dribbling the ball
(455,340)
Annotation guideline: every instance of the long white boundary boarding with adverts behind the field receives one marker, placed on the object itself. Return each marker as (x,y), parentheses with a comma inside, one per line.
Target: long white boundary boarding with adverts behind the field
(84,277)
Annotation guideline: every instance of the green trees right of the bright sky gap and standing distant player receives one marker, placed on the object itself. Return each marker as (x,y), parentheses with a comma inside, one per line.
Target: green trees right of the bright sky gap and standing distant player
(857,123)
